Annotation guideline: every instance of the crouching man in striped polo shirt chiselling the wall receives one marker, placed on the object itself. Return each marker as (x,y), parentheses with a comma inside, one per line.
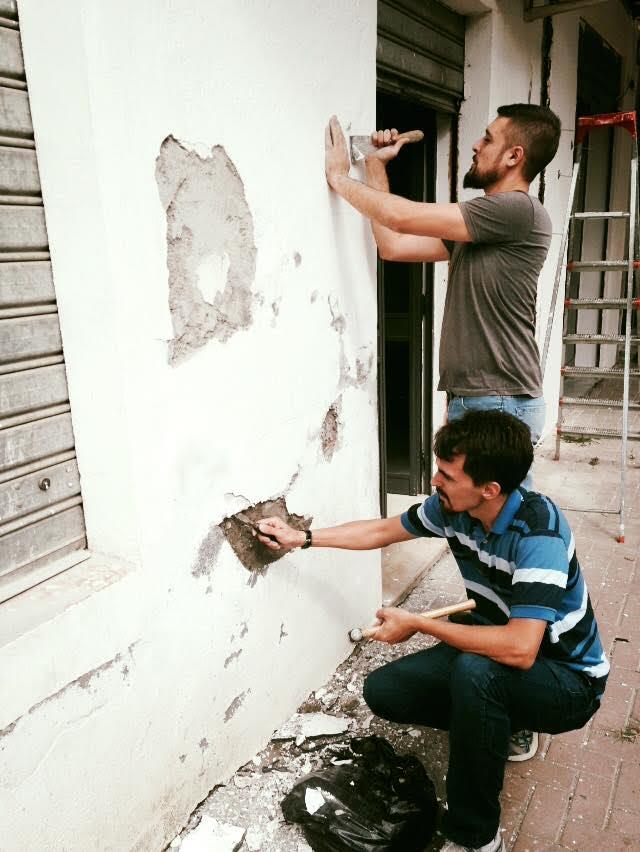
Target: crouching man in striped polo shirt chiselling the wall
(531,658)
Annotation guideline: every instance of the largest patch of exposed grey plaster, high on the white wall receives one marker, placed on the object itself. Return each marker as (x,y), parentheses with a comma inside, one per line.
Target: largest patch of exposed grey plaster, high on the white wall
(211,253)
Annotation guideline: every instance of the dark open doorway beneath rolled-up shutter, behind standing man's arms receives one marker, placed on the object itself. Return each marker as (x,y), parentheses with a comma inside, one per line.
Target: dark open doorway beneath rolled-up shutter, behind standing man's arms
(405,318)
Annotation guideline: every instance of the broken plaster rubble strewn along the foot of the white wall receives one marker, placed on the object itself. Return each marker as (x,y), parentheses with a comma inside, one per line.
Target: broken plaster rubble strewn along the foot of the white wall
(251,797)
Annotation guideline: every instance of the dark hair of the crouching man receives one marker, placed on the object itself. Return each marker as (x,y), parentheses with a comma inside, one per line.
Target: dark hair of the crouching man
(497,447)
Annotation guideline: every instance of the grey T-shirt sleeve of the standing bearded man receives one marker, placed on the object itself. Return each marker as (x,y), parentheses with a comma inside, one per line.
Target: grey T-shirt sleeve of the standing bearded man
(502,218)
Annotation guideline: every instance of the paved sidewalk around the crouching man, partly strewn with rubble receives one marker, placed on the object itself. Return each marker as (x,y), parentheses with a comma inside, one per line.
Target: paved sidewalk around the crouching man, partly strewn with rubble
(582,790)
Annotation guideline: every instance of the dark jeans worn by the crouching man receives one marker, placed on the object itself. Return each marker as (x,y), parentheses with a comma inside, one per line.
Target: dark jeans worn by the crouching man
(480,702)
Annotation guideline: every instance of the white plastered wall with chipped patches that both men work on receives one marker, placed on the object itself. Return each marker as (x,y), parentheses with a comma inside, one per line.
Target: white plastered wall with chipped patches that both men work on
(147,684)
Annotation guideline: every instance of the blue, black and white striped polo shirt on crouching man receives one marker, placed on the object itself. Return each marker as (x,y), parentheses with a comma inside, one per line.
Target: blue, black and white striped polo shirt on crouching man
(525,567)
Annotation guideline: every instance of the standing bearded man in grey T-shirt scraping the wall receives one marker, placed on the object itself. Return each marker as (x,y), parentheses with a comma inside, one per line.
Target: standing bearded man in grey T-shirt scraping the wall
(496,244)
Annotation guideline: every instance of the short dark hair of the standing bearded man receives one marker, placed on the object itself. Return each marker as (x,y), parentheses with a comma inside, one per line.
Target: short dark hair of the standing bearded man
(537,130)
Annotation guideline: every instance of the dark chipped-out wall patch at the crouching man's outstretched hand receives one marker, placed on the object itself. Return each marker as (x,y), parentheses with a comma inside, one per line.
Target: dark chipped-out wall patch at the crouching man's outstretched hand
(254,555)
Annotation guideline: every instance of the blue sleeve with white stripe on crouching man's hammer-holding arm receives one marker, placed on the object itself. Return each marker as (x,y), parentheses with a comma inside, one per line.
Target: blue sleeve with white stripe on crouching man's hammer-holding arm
(540,576)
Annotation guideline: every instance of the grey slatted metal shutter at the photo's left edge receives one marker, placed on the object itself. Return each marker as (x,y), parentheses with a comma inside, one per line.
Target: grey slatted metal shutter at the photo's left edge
(42,528)
